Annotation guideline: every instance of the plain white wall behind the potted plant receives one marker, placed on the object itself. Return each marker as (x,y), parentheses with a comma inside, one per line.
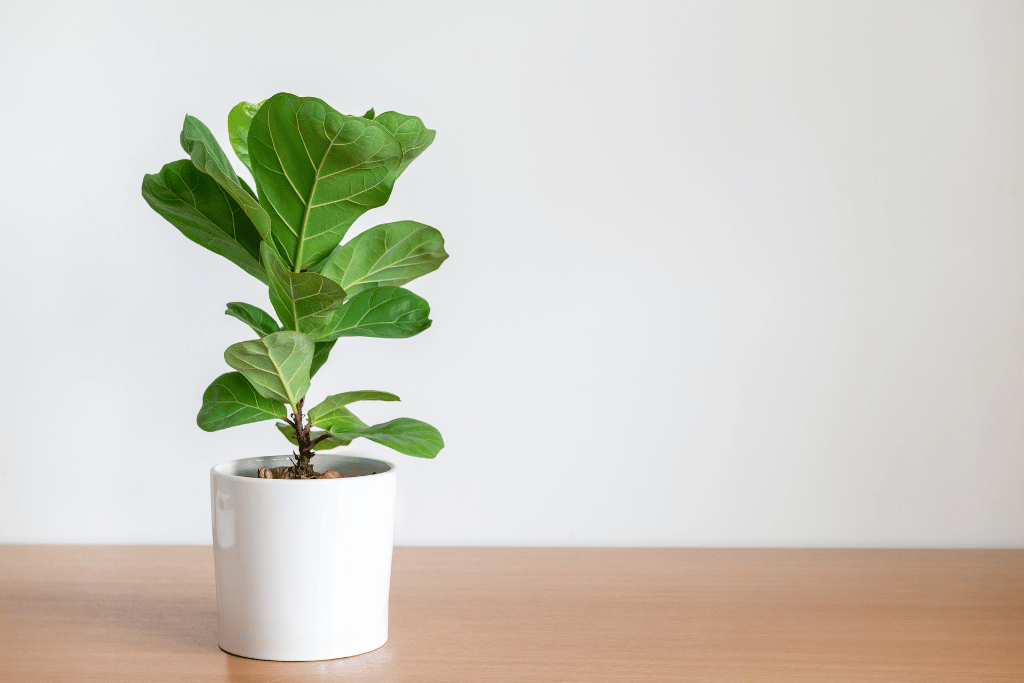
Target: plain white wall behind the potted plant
(722,274)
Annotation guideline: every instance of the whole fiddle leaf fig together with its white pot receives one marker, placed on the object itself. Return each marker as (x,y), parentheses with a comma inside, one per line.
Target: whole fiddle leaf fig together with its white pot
(303,544)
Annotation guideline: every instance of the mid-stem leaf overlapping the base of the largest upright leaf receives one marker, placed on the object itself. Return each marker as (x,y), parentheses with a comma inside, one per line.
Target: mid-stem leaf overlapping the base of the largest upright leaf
(304,301)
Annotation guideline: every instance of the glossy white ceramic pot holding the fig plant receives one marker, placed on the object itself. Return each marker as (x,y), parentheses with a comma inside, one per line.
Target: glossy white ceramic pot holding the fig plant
(304,567)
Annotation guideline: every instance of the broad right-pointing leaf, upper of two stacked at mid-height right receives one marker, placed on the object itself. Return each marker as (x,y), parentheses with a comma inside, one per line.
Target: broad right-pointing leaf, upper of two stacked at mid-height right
(389,254)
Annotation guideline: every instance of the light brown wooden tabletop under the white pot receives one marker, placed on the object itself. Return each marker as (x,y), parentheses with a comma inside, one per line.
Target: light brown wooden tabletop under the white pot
(148,614)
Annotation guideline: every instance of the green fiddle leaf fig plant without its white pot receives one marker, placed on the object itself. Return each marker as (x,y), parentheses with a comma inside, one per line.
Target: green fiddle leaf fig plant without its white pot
(316,172)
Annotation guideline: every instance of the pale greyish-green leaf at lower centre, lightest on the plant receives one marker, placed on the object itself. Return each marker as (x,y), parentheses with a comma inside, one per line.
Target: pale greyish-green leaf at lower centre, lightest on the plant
(277,365)
